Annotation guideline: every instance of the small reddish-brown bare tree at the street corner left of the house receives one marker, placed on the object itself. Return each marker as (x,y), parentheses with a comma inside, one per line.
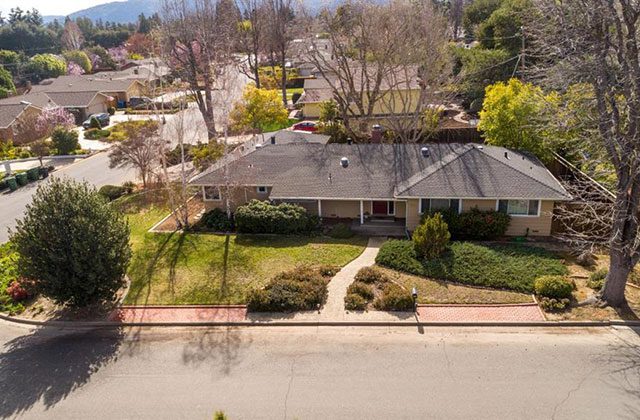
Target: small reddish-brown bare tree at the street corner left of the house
(141,149)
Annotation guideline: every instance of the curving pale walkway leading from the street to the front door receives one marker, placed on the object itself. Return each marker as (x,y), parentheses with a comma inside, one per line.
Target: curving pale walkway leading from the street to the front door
(334,308)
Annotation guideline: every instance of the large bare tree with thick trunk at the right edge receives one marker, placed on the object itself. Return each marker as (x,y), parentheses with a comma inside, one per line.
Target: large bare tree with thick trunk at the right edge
(596,42)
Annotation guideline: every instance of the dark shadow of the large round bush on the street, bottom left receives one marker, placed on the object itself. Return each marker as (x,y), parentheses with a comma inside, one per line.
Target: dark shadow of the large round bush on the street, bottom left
(48,366)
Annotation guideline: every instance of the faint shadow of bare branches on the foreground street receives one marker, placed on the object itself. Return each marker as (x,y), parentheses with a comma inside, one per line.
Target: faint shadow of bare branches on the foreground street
(217,348)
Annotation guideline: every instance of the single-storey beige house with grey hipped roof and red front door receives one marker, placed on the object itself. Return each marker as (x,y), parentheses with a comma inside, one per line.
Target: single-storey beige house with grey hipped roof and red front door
(368,183)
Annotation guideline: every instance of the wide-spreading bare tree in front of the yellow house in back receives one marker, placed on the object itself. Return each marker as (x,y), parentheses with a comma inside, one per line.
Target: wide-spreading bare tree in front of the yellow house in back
(388,59)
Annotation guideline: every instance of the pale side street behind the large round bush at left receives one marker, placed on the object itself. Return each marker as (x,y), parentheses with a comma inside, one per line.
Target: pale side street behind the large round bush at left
(94,170)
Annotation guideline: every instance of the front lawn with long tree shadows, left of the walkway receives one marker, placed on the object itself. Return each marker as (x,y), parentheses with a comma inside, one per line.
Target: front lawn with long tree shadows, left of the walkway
(216,269)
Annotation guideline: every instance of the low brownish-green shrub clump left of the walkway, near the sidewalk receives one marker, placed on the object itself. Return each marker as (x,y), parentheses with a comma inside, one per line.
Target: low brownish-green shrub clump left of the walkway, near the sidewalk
(297,290)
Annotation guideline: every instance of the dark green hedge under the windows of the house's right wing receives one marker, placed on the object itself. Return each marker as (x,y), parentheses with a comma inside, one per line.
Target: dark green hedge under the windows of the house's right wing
(475,224)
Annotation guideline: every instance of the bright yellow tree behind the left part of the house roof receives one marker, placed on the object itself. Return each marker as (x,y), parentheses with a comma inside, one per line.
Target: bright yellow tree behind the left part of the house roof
(258,108)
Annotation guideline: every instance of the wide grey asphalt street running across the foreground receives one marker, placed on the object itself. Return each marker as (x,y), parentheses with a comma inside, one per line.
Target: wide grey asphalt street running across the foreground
(321,373)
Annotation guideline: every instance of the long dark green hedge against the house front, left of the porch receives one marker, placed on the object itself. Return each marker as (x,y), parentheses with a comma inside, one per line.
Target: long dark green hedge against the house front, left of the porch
(263,217)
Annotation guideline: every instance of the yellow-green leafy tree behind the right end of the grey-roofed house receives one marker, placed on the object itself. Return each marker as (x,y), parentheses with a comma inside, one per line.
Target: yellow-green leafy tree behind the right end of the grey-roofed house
(511,117)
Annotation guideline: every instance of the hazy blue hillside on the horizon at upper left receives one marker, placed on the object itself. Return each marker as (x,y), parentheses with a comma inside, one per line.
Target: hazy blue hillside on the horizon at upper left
(117,11)
